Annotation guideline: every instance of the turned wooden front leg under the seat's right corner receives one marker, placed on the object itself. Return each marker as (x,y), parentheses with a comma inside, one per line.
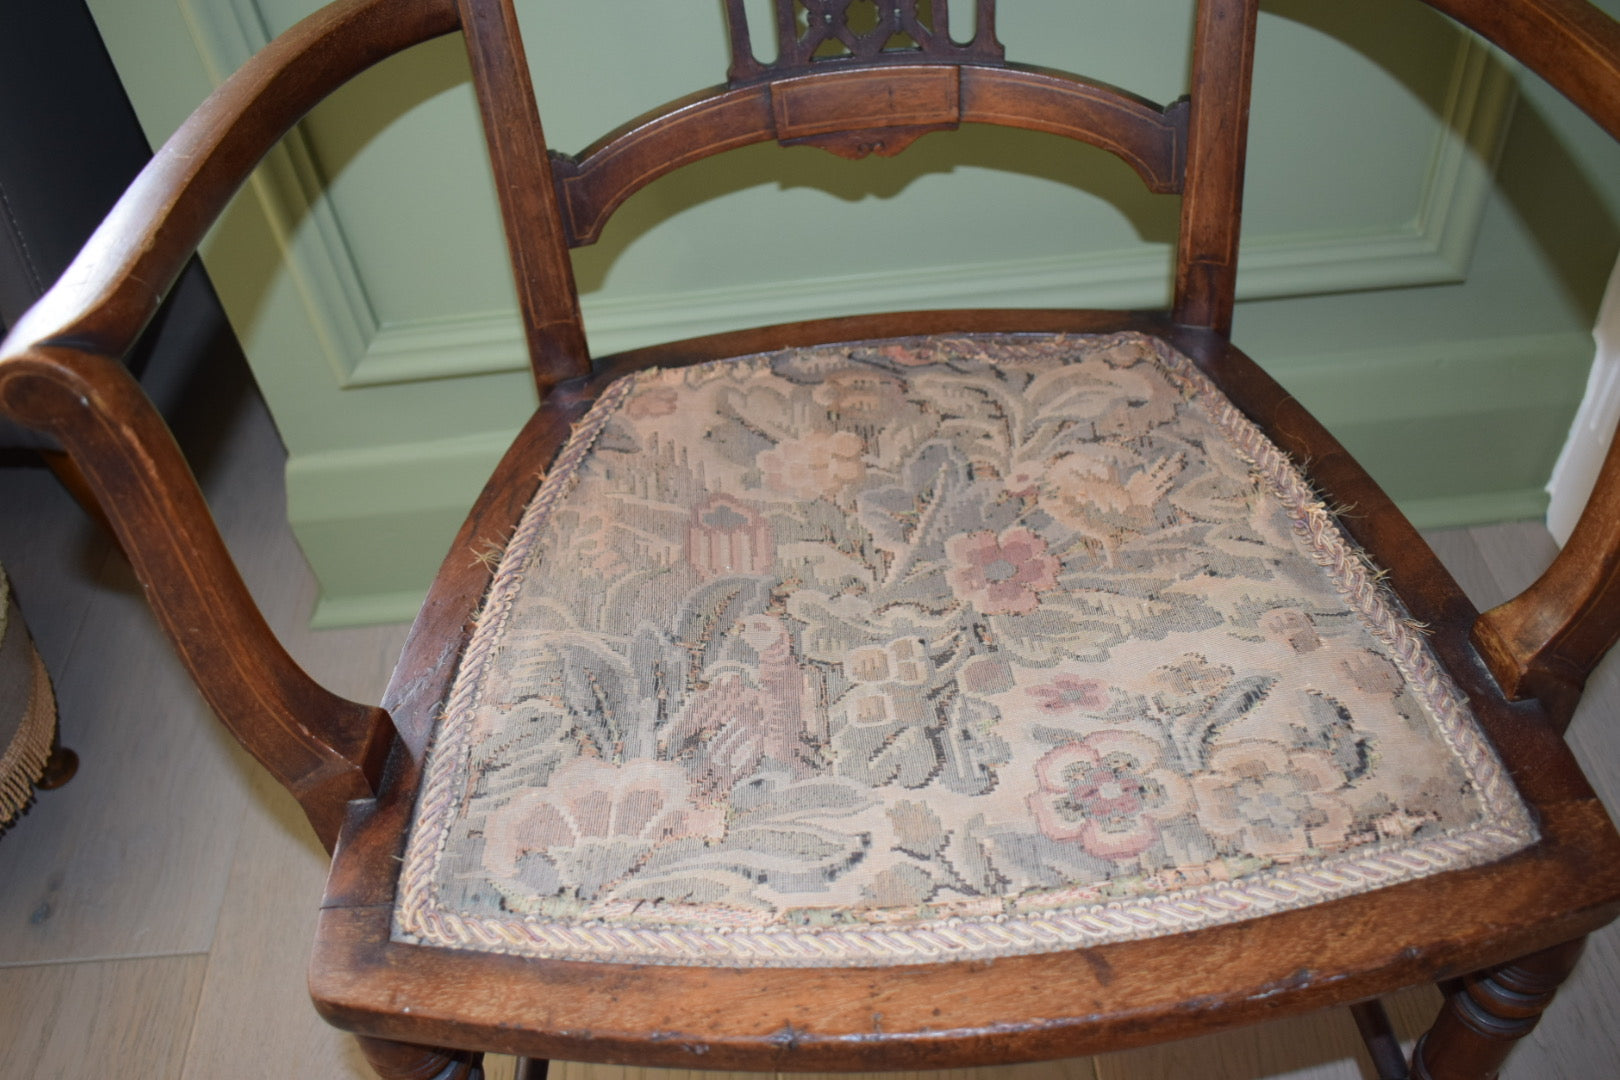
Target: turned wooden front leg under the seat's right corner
(1491,1013)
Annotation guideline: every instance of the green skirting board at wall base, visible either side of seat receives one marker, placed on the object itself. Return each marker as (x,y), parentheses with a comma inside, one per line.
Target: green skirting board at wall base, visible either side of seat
(377,548)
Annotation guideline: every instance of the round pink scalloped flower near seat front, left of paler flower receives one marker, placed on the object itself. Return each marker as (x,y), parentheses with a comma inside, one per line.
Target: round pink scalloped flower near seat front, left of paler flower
(1109,793)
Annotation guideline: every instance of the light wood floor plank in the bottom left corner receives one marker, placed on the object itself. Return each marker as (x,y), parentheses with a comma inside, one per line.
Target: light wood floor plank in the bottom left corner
(113,1018)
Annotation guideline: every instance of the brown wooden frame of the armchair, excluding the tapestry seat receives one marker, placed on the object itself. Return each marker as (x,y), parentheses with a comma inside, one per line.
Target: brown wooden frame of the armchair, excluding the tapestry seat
(1512,929)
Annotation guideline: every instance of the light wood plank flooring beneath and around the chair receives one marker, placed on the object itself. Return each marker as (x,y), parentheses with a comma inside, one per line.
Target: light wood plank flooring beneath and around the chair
(156,914)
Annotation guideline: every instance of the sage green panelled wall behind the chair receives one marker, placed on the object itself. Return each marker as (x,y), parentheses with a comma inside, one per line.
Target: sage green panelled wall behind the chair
(1388,279)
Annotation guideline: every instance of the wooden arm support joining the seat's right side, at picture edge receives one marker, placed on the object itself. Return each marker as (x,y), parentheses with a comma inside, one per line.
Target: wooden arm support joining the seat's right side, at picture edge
(1548,640)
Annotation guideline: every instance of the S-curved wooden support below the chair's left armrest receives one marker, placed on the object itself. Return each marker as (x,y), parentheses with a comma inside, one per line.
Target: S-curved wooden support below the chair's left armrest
(326,750)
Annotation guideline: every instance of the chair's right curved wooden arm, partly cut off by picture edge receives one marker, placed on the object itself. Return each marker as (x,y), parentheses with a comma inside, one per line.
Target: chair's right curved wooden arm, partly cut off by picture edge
(1548,640)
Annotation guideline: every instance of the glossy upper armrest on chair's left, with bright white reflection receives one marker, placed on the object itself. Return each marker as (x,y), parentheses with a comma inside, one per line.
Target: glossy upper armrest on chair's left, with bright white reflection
(116,284)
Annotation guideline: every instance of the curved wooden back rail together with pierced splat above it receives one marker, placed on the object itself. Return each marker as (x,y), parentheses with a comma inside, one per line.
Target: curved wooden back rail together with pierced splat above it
(898,77)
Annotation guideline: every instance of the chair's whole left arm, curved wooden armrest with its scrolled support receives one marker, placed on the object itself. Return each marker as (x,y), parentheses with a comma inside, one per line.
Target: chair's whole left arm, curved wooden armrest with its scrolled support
(61,375)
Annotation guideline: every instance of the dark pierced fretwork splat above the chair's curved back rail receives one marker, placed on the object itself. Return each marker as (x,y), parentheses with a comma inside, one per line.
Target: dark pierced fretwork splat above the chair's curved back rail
(923,25)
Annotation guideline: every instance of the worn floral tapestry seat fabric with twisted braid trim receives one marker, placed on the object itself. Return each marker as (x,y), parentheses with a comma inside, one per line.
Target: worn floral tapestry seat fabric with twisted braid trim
(931,650)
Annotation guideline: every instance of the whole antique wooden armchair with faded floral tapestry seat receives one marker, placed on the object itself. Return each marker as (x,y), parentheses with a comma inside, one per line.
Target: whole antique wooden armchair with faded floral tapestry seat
(908,691)
